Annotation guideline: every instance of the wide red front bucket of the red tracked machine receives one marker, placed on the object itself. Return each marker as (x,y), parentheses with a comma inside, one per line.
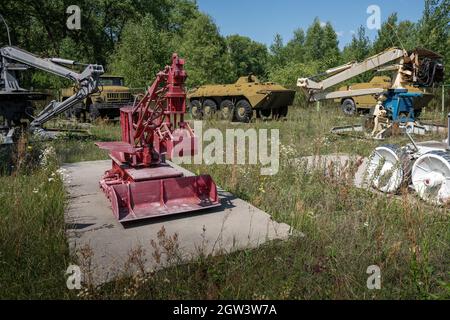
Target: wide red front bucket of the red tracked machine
(155,198)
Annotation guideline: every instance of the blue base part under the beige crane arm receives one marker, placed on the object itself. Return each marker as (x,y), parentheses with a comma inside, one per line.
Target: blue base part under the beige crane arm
(399,105)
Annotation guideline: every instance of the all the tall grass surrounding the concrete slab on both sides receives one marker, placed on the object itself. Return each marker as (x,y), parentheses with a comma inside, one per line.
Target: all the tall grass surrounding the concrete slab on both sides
(340,230)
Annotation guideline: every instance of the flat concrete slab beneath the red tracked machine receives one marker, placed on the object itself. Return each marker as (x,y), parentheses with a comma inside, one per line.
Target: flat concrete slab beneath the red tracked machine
(92,227)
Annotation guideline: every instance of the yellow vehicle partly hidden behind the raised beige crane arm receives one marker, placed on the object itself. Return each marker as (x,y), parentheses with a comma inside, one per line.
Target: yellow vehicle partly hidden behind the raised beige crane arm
(350,105)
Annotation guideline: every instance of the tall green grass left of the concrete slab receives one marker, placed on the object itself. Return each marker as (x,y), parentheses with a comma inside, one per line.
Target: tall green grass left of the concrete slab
(33,249)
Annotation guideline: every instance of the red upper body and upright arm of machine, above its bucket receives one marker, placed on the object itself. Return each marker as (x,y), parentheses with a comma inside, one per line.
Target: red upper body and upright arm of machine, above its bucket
(156,124)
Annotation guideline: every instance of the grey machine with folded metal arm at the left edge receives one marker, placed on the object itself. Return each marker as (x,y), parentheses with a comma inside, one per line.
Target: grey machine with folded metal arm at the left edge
(16,102)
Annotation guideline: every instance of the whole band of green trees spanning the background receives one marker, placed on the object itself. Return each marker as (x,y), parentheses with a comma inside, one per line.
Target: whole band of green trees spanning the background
(135,38)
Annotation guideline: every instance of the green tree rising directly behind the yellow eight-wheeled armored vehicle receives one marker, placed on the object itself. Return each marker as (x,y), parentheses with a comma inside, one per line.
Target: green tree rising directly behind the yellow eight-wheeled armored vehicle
(247,56)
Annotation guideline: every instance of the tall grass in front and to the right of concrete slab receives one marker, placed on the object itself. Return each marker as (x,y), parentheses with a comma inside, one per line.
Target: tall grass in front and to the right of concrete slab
(345,230)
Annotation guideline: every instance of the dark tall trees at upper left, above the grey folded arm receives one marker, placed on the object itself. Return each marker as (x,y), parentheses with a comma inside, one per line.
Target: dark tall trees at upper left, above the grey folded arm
(39,26)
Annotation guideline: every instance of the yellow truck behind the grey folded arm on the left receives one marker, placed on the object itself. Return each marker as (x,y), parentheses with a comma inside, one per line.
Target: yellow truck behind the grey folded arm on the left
(112,96)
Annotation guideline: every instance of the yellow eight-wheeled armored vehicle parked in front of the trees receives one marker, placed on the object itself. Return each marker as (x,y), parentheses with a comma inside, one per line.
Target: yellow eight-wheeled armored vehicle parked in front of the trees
(238,101)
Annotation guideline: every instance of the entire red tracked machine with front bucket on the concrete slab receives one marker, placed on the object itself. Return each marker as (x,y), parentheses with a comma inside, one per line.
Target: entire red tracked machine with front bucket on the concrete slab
(141,184)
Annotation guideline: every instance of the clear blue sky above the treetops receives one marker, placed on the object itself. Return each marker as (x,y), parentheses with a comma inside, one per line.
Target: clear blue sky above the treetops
(262,19)
